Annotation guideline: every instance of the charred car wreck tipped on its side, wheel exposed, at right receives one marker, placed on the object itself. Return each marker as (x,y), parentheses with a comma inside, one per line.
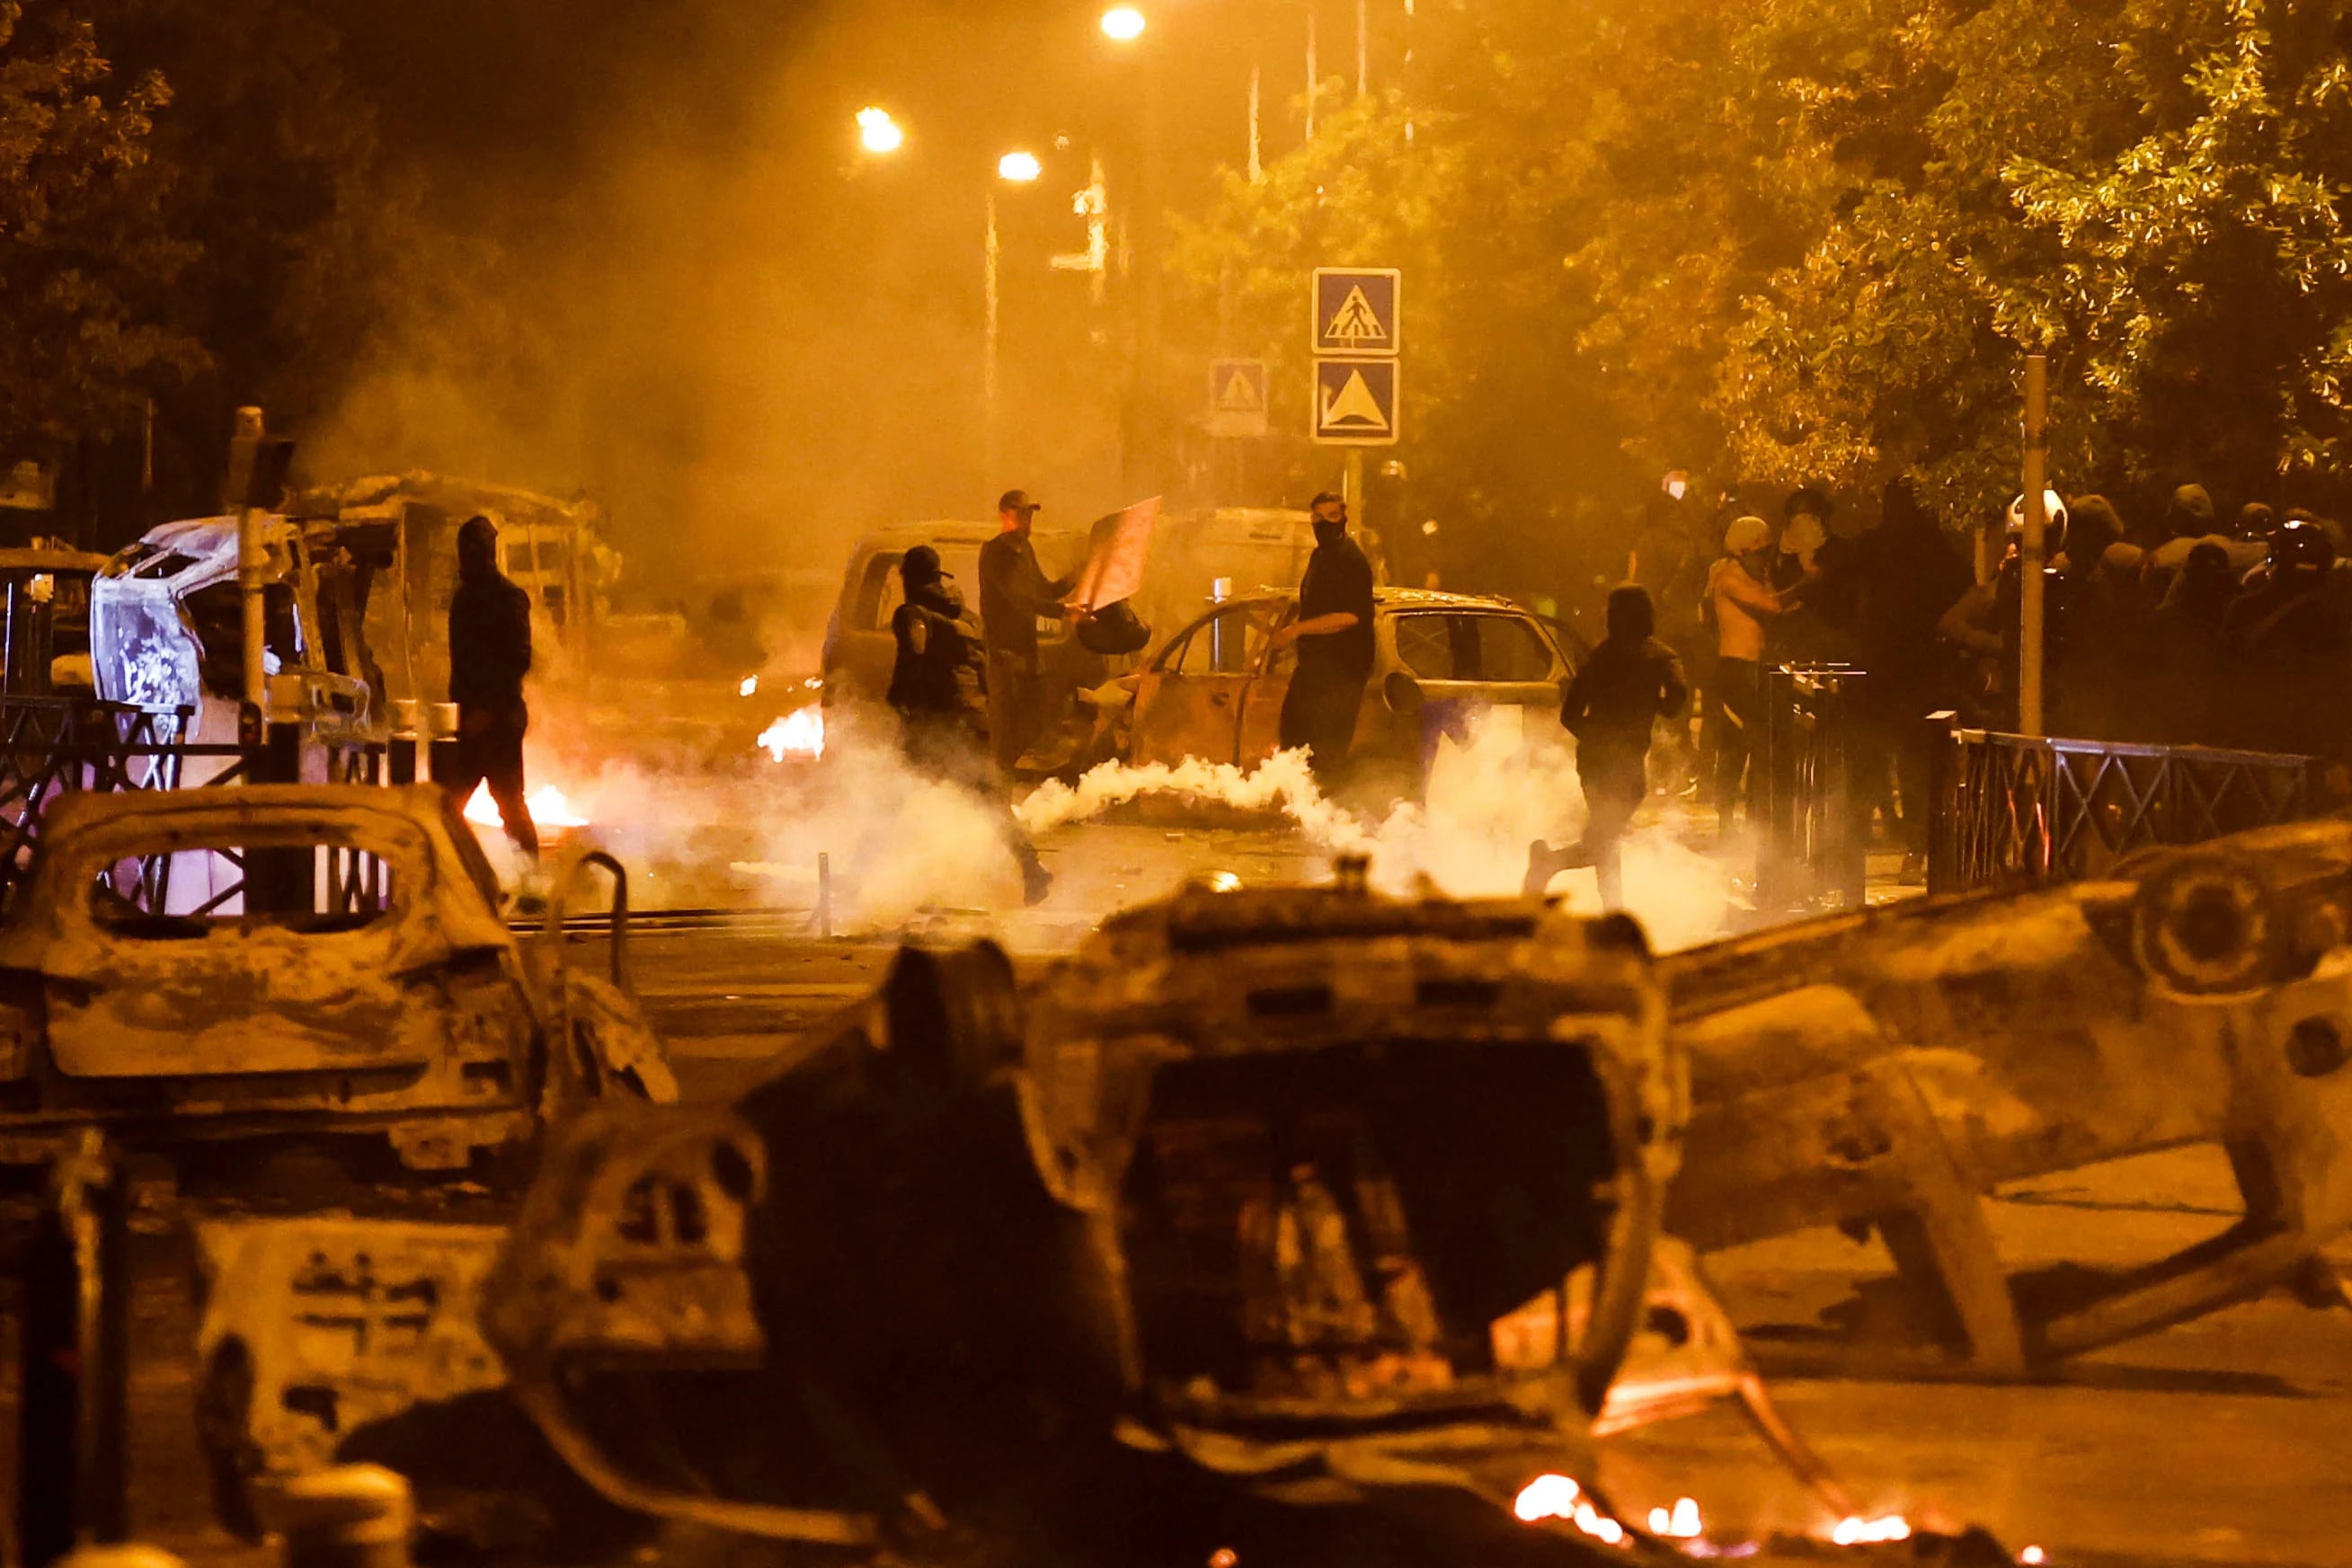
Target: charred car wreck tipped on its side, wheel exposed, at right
(1890,1071)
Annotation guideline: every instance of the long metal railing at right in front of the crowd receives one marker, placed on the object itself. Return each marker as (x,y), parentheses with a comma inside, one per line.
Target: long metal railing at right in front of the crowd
(2022,810)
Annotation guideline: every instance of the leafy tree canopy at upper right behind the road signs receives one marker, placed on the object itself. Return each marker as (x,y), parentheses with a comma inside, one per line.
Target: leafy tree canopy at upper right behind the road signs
(1815,239)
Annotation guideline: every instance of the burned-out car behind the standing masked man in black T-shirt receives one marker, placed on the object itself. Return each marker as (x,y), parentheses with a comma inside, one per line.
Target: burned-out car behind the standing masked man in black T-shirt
(1217,688)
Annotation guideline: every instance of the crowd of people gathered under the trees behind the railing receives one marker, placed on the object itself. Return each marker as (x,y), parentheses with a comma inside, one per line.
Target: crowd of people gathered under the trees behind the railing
(2165,629)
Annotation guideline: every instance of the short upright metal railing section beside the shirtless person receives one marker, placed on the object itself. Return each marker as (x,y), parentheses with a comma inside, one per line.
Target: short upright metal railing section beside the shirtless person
(1810,812)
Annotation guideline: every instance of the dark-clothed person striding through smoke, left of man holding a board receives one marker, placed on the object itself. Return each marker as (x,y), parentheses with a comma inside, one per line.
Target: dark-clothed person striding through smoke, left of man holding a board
(935,688)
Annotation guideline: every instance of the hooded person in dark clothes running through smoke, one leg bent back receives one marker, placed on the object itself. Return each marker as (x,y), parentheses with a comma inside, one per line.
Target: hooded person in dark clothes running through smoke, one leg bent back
(1626,685)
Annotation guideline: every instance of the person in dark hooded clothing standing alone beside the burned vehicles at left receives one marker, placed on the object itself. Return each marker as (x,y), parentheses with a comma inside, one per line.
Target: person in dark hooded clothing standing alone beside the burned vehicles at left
(490,652)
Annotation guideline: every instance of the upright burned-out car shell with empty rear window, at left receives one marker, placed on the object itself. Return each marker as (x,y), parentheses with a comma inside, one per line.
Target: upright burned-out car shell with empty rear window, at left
(194,965)
